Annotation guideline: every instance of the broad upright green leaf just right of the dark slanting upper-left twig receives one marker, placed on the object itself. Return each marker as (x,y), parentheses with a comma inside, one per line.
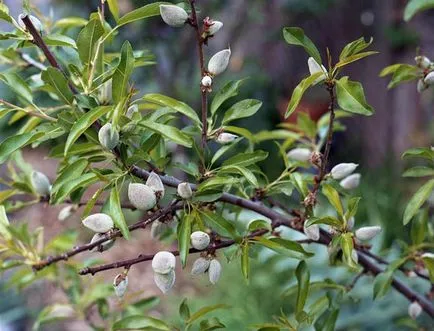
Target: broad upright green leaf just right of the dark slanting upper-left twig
(87,40)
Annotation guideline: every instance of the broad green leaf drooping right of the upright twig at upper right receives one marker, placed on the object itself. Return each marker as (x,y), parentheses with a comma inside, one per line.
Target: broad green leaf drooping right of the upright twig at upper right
(351,97)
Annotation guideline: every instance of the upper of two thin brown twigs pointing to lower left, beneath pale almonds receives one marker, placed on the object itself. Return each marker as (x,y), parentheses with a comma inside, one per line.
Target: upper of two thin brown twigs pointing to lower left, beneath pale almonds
(171,208)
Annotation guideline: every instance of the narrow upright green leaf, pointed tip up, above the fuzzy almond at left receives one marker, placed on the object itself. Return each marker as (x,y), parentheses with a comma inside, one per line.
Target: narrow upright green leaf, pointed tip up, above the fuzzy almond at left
(123,72)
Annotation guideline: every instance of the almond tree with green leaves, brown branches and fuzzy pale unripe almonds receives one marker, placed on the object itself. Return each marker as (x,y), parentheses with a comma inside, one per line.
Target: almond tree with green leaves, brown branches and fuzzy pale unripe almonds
(108,133)
